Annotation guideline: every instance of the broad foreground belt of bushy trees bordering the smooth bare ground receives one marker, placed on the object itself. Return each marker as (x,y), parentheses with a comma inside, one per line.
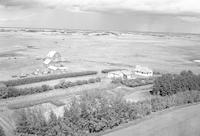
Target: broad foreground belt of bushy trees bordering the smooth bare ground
(94,112)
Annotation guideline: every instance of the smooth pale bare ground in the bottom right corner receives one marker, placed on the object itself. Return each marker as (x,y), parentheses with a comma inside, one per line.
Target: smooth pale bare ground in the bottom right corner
(180,122)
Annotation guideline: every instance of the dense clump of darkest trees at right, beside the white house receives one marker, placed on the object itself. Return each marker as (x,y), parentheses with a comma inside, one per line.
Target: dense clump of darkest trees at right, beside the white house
(169,84)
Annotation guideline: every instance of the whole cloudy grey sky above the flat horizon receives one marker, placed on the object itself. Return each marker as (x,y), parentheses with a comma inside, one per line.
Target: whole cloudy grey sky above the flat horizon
(124,15)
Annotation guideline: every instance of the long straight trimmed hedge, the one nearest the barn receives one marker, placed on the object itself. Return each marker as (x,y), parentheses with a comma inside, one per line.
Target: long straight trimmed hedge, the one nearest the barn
(46,78)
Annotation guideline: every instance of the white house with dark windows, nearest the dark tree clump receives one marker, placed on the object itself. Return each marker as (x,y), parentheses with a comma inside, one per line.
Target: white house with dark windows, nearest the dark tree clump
(143,71)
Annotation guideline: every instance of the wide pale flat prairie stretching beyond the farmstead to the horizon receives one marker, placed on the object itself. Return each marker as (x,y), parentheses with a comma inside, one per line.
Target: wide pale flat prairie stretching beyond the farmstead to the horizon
(22,52)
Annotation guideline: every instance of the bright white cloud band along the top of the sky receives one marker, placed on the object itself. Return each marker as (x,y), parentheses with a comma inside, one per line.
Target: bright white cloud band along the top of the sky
(156,6)
